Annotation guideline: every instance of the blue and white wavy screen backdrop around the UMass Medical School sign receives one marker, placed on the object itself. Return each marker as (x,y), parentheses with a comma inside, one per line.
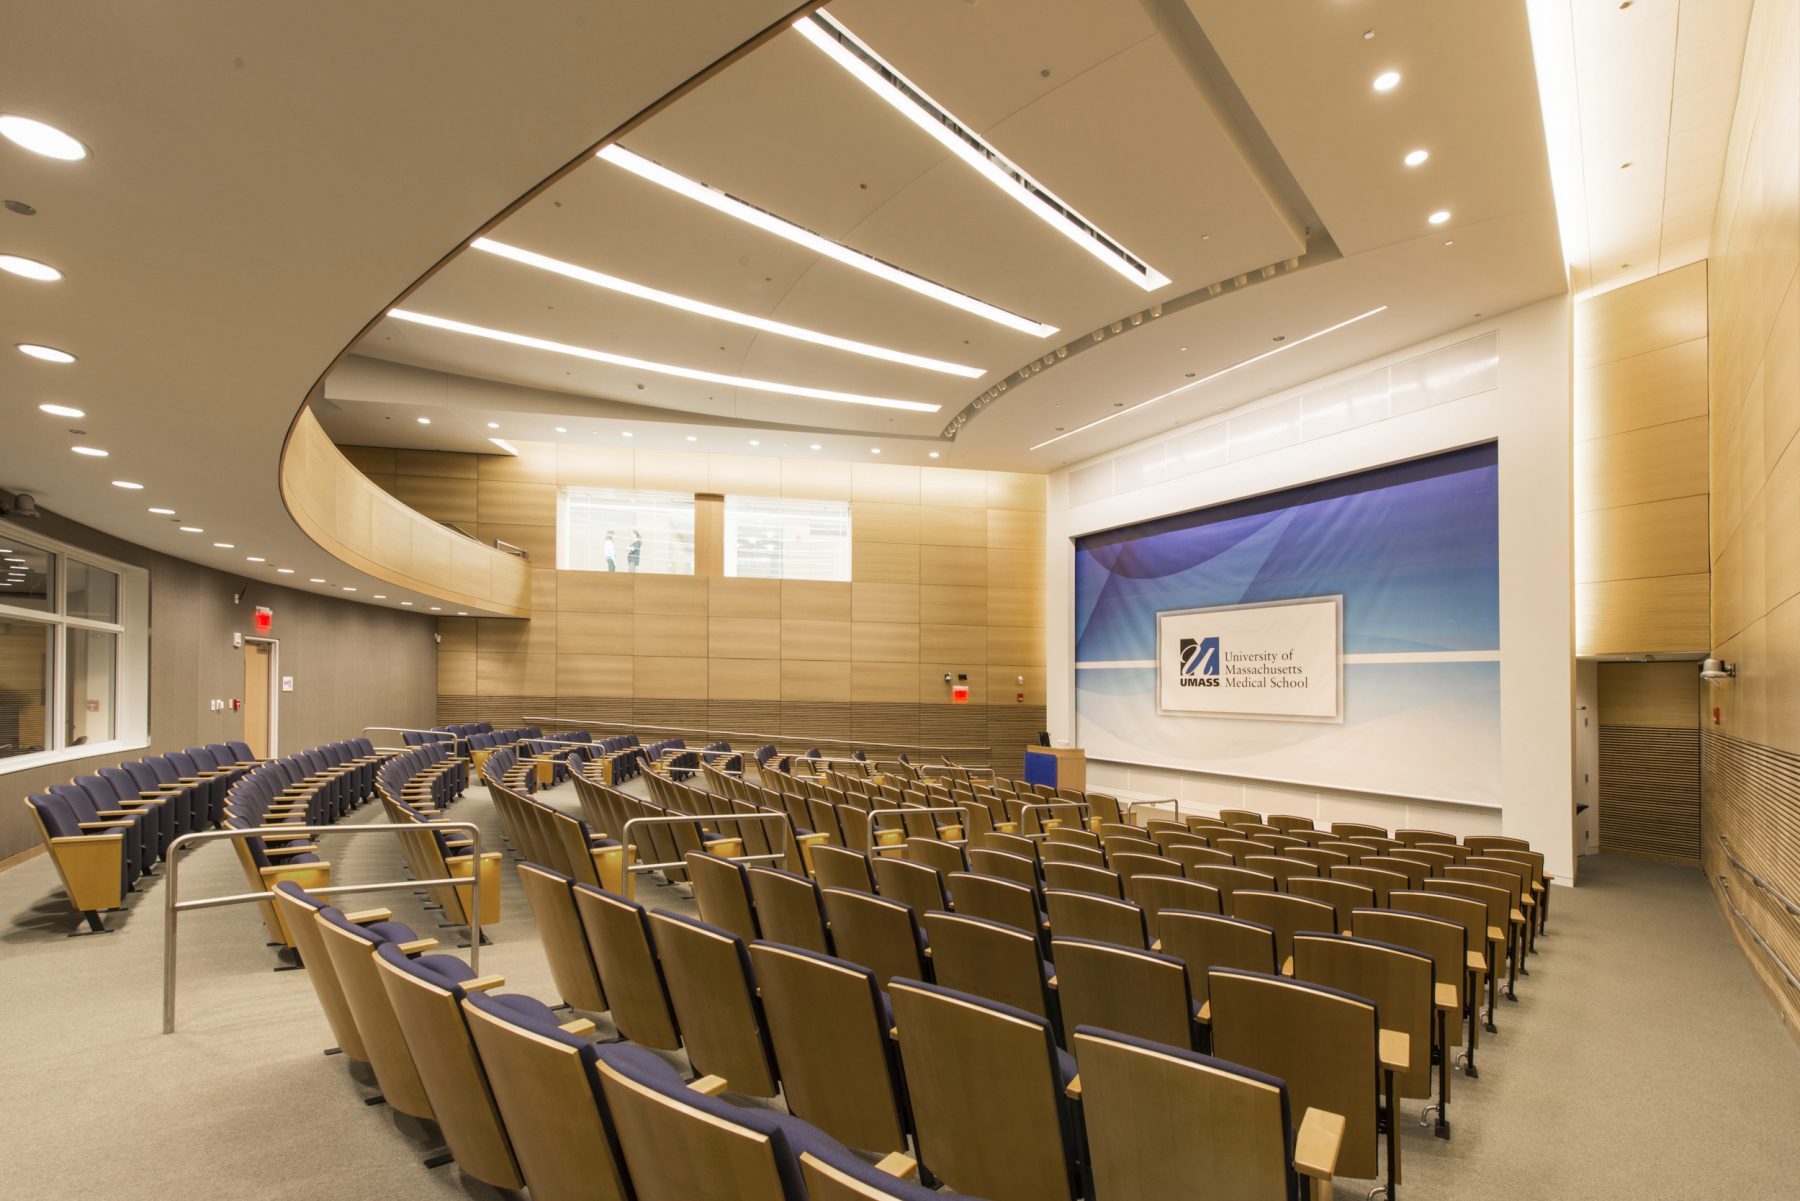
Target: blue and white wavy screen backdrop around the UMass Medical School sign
(1412,548)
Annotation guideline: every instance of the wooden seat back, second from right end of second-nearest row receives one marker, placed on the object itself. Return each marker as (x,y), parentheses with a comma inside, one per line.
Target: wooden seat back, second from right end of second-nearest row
(987,1097)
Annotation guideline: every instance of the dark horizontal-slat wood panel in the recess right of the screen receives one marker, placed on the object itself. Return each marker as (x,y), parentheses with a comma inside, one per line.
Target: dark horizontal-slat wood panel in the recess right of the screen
(1650,791)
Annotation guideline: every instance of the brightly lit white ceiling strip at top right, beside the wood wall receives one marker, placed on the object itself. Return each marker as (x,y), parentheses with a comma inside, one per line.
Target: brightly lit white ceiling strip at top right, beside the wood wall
(1657,86)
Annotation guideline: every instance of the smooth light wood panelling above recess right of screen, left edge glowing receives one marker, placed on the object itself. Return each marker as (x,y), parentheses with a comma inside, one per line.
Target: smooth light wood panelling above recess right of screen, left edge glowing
(1641,467)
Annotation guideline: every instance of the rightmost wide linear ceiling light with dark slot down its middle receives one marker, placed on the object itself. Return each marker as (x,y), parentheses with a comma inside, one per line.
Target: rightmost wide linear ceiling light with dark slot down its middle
(942,125)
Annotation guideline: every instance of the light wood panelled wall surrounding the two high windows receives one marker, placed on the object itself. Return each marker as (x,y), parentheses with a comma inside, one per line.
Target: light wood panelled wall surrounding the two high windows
(948,575)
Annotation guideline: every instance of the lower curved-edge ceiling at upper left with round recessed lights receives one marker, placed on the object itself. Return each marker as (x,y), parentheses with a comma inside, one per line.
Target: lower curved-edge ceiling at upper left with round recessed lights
(264,181)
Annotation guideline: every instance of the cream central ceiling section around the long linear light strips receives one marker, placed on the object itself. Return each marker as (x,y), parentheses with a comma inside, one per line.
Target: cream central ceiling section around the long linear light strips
(1205,154)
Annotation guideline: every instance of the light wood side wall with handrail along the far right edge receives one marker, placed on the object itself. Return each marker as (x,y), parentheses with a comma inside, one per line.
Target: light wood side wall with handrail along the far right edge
(1752,755)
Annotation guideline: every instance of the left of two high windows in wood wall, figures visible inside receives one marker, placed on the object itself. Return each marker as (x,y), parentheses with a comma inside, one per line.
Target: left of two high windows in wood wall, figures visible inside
(622,530)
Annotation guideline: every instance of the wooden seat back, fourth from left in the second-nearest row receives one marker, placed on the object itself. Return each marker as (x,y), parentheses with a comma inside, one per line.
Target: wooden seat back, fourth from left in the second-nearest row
(831,1038)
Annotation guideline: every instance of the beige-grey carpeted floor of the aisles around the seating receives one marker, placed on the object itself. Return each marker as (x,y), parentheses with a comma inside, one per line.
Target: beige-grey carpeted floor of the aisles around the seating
(1641,1061)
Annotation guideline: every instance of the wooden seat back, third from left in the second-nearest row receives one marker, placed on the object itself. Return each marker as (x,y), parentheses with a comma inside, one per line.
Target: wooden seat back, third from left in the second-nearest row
(714,995)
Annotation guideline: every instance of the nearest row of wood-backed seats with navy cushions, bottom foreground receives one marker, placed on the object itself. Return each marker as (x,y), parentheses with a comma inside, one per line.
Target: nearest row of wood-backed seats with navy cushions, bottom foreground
(525,1099)
